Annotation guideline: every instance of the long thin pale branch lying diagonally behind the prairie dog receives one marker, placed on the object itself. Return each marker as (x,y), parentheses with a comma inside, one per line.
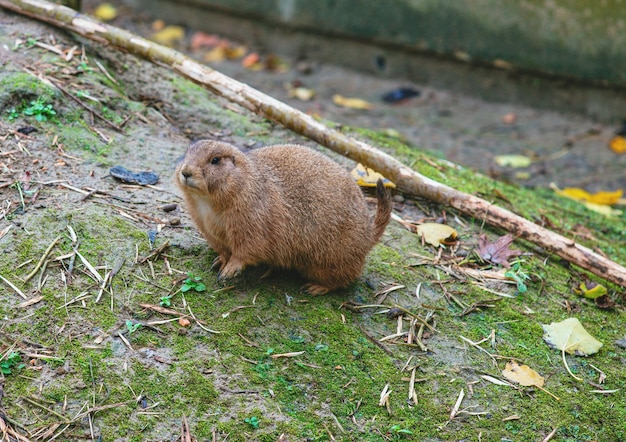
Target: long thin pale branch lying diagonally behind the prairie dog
(406,179)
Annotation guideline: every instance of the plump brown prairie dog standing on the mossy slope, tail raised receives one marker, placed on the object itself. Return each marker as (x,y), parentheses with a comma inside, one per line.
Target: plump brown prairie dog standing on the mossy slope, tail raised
(286,206)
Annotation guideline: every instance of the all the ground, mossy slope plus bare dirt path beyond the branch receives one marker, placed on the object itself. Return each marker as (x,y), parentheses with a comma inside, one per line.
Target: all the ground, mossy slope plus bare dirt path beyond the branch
(261,361)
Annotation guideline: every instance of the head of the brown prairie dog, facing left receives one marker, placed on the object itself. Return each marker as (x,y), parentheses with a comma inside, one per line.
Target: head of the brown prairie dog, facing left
(212,170)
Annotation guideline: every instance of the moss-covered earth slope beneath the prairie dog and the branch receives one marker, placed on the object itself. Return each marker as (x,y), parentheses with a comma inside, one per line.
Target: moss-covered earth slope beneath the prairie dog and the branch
(311,368)
